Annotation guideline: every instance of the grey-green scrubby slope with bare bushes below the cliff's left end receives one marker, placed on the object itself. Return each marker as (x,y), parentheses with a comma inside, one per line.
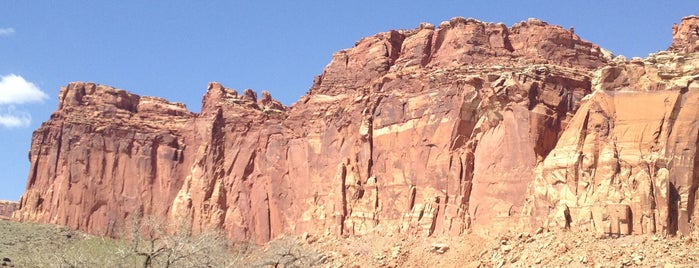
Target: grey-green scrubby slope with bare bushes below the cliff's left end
(36,245)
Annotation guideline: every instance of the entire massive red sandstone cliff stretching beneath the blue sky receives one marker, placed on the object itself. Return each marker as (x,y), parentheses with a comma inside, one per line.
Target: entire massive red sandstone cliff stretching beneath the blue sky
(468,126)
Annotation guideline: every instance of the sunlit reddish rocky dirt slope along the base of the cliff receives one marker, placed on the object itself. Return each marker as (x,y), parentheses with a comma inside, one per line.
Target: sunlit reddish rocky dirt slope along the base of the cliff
(545,249)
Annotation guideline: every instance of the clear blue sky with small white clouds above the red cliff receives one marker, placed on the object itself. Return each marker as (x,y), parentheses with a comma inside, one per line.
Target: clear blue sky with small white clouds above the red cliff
(172,49)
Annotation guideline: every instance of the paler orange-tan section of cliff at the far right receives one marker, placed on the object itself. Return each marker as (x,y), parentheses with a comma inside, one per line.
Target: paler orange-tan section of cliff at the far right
(628,161)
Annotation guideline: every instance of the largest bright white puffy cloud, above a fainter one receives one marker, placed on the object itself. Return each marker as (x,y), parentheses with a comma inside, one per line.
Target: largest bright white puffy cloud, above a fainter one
(15,90)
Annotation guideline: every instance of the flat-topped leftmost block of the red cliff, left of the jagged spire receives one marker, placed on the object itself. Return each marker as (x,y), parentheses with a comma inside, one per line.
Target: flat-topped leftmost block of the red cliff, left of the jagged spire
(104,154)
